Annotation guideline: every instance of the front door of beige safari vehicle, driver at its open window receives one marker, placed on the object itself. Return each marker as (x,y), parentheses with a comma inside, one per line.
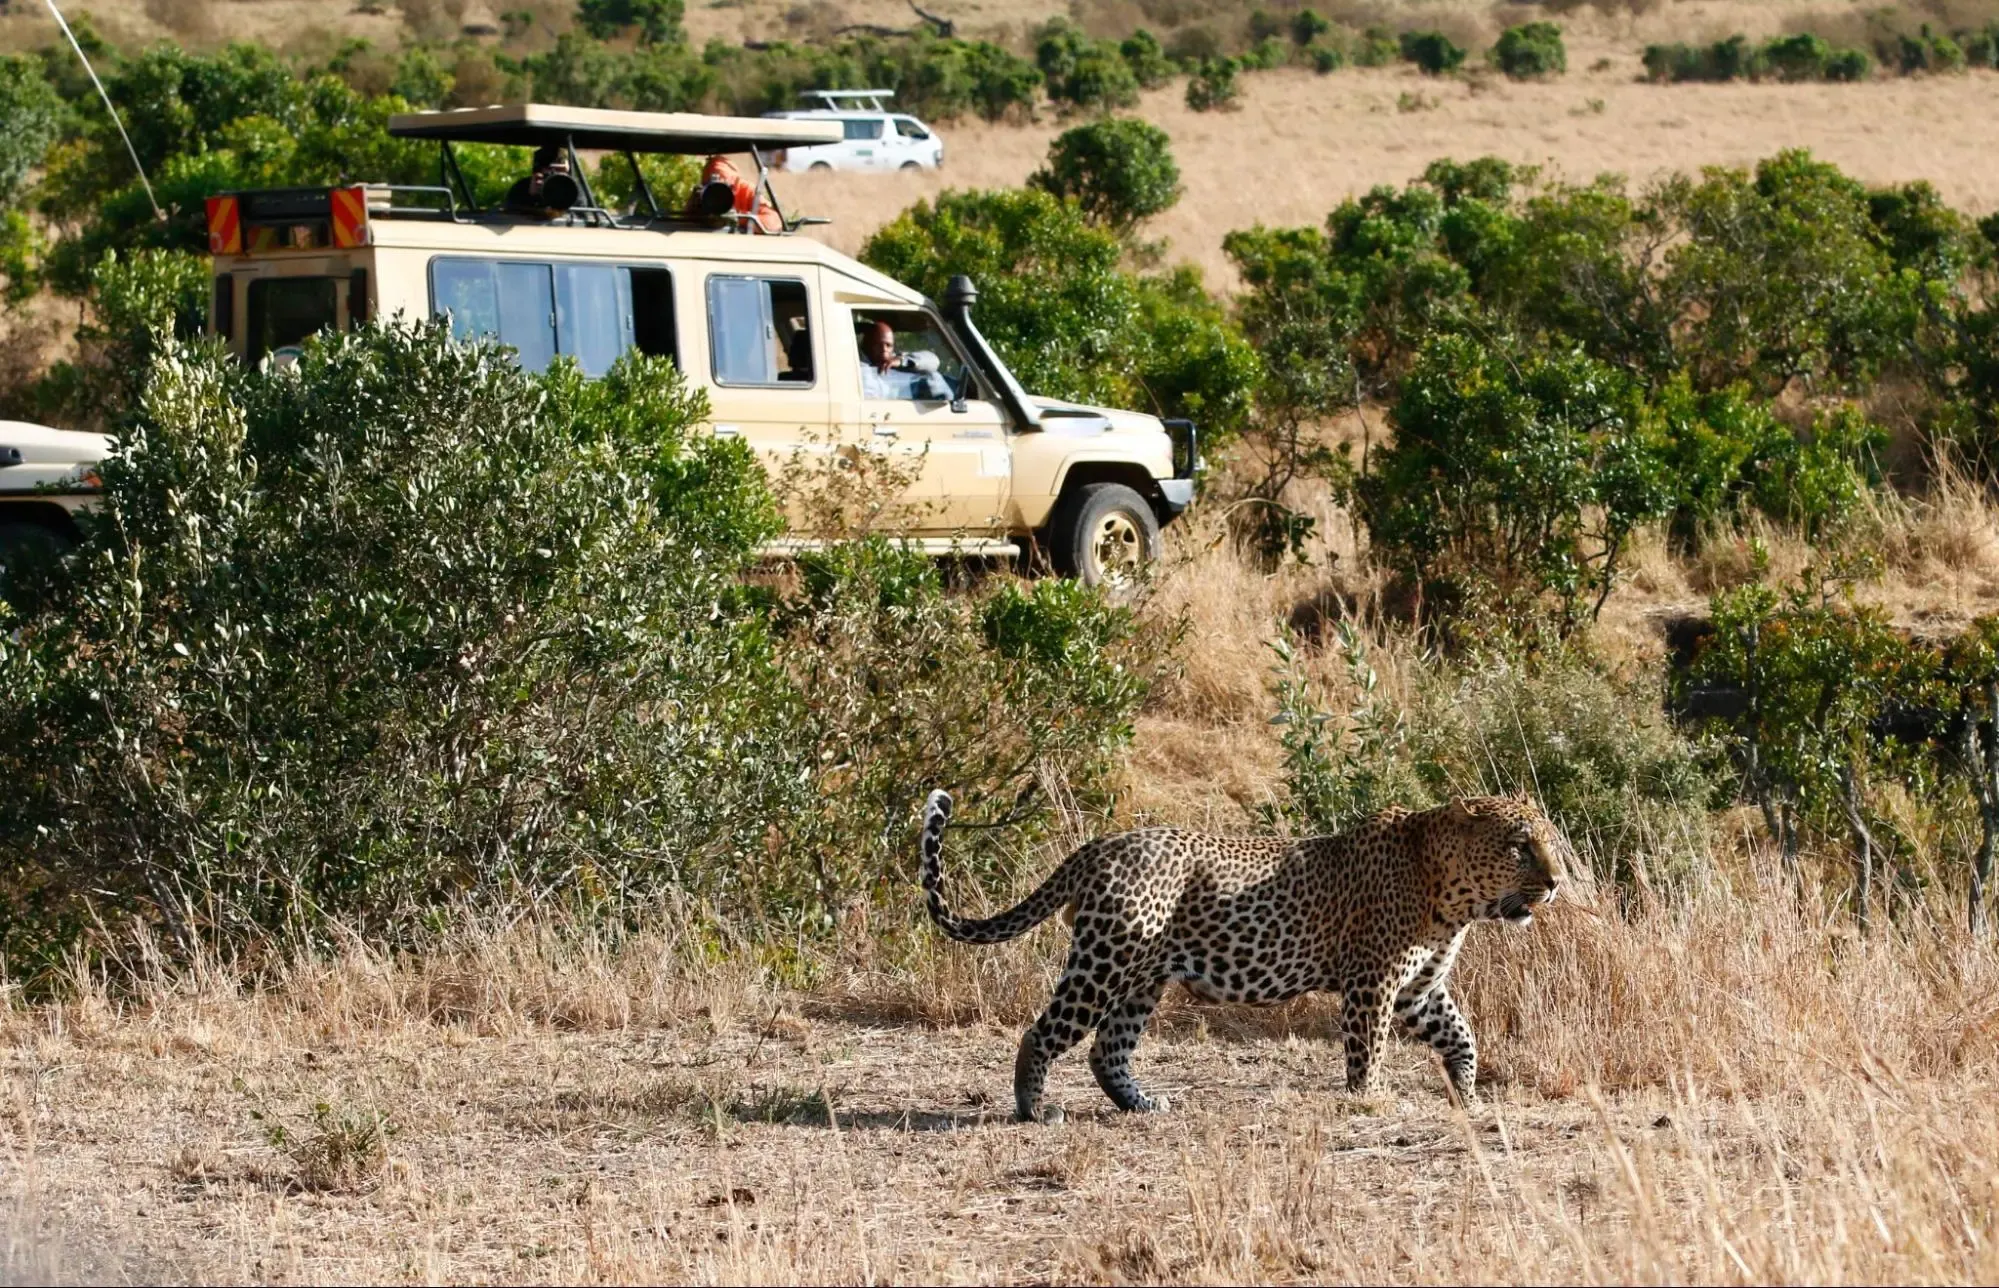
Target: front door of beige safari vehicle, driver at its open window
(957,463)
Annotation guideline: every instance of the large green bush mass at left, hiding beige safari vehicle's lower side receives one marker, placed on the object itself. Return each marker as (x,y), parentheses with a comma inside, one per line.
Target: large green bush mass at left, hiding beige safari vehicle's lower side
(405,627)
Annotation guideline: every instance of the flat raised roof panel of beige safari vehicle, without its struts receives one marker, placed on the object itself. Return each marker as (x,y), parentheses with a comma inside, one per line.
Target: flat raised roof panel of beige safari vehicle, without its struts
(533,125)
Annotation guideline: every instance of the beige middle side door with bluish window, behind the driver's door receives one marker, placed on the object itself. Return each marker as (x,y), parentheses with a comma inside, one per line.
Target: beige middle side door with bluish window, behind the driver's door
(765,373)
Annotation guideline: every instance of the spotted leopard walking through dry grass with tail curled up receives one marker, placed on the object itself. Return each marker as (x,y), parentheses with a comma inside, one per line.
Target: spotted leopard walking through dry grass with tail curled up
(1374,913)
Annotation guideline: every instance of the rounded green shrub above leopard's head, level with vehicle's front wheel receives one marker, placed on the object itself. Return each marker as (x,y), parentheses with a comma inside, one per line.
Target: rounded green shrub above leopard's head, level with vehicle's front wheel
(1514,479)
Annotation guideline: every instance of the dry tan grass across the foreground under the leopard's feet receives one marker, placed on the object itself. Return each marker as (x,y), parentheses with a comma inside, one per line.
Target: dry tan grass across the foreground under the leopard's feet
(1718,1093)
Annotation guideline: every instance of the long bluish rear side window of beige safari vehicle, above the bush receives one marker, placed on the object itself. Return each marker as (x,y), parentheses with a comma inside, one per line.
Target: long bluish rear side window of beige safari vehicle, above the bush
(591,313)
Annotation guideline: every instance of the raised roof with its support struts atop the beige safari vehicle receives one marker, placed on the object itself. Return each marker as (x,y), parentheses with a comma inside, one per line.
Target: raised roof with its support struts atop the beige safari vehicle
(531,125)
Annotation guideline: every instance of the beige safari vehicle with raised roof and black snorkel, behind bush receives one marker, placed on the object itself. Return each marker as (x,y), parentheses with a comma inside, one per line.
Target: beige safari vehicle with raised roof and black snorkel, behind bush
(767,323)
